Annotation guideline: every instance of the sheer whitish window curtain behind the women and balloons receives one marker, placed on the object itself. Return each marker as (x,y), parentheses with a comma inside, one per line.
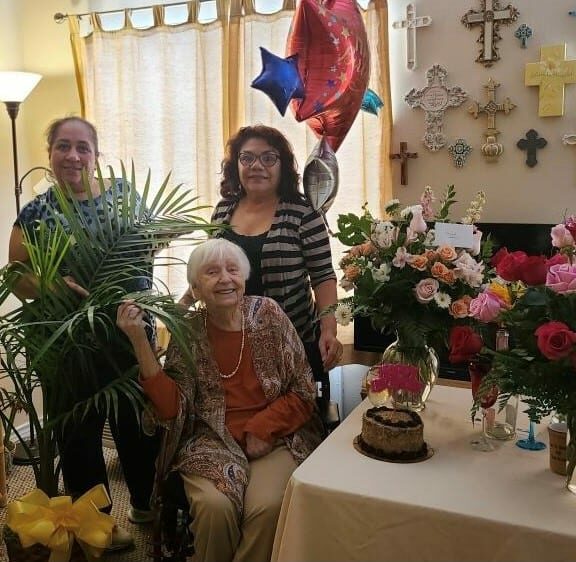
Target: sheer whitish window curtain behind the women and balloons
(156,95)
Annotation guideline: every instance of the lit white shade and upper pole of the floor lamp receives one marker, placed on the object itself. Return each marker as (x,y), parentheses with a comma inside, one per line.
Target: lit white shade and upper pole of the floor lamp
(14,89)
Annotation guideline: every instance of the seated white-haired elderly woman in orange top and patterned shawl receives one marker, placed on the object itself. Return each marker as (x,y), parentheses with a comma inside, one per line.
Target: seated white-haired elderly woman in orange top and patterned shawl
(243,418)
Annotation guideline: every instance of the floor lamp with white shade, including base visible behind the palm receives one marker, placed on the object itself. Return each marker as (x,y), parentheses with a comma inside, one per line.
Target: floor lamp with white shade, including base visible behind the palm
(14,89)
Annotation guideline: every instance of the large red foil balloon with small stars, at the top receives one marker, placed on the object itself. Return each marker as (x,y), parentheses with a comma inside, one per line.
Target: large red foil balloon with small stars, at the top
(334,62)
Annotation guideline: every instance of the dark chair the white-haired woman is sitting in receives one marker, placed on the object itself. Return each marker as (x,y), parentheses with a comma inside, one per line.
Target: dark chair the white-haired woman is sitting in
(172,539)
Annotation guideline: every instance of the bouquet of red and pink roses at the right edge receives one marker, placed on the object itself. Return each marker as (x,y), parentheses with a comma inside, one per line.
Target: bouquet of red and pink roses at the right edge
(538,308)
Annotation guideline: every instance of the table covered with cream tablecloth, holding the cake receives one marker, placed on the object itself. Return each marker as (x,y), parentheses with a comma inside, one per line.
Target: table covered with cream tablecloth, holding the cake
(460,505)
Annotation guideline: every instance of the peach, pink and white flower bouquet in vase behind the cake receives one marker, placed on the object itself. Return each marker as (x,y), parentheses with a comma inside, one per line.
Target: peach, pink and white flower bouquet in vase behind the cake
(407,281)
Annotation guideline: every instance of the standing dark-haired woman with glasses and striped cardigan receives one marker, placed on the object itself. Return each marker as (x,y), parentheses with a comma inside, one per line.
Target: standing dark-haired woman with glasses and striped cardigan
(284,238)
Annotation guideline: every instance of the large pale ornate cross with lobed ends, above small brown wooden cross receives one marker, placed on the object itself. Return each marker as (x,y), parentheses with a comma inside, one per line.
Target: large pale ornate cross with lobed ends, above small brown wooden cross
(434,99)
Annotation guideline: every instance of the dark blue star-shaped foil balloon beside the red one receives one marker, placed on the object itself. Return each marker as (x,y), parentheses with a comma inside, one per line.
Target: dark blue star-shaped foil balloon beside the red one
(279,79)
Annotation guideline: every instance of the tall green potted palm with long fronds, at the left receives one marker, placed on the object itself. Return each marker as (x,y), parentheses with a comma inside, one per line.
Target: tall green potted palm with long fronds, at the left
(46,345)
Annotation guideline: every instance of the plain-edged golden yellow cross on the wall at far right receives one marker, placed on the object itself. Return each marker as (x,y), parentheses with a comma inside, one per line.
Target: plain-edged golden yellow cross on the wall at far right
(551,74)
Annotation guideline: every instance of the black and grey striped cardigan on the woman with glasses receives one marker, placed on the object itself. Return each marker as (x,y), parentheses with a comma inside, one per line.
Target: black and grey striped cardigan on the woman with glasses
(296,257)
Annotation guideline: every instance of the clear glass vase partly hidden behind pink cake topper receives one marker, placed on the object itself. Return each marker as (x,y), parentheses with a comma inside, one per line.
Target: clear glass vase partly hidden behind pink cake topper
(425,360)
